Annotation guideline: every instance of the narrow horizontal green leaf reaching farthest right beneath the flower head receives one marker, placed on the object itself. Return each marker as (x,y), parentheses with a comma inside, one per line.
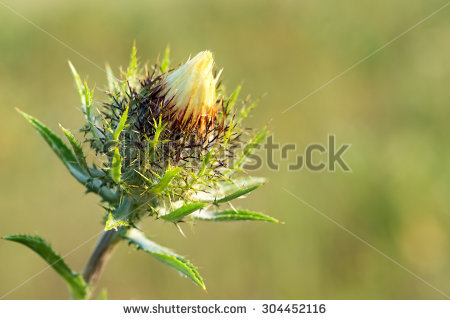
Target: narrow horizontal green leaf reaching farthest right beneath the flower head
(232,215)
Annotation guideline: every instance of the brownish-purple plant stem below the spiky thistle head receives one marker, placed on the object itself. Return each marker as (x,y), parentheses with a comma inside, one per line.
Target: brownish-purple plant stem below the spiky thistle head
(100,256)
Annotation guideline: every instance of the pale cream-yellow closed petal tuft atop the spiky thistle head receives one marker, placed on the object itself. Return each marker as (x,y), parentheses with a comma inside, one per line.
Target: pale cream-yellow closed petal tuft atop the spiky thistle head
(189,95)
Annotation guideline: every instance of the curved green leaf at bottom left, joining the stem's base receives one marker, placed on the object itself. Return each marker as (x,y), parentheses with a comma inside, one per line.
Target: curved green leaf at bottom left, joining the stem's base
(75,281)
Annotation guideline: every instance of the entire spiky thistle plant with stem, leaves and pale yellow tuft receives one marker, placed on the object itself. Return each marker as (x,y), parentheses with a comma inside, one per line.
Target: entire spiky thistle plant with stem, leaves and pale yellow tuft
(146,163)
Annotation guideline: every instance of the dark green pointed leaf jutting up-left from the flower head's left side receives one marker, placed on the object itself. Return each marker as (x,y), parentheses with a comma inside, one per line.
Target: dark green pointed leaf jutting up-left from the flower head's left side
(59,147)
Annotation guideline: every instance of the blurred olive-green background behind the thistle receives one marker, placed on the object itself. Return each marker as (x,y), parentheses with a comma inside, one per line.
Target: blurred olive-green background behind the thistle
(393,108)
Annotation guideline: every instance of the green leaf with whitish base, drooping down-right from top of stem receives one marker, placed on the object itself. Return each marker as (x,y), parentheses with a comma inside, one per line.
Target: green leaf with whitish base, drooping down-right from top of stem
(165,255)
